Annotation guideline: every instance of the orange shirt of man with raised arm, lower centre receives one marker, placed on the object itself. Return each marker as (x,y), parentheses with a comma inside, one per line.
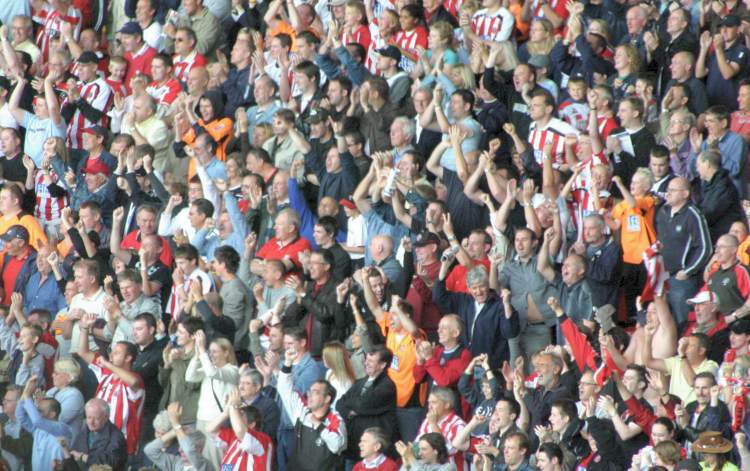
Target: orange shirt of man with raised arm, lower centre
(404,349)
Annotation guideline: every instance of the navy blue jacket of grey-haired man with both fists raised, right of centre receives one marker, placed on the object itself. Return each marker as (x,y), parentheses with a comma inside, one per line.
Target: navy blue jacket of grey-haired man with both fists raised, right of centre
(488,330)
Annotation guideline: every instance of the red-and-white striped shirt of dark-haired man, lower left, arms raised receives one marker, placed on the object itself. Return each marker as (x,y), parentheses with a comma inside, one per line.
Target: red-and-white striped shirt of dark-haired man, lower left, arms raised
(125,404)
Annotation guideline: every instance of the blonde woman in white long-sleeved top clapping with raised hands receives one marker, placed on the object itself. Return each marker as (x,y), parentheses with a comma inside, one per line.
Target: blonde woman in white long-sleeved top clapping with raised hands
(216,369)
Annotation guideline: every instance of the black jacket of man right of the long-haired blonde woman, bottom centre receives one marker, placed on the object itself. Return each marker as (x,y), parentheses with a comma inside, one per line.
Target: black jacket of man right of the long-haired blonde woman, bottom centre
(375,408)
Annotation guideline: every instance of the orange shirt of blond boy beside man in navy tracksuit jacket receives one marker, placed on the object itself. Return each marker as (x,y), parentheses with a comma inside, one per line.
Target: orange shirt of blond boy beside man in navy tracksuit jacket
(637,231)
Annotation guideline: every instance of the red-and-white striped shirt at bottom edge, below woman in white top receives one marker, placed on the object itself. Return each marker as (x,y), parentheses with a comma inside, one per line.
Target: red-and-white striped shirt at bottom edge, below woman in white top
(253,453)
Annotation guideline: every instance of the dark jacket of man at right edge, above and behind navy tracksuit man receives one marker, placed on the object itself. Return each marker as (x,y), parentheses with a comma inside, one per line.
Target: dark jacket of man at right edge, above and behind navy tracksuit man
(720,204)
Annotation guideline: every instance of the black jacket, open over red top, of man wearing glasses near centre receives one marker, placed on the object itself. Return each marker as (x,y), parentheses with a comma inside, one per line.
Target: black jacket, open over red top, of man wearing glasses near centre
(327,316)
